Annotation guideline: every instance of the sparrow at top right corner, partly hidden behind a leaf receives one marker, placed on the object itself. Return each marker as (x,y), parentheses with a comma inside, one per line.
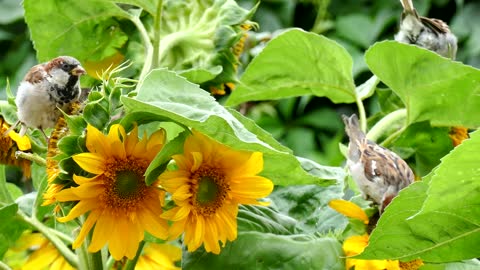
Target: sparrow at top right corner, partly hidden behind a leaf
(428,33)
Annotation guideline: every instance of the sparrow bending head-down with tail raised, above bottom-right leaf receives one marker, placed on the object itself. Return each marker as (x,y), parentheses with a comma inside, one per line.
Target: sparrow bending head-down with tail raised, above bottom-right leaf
(379,173)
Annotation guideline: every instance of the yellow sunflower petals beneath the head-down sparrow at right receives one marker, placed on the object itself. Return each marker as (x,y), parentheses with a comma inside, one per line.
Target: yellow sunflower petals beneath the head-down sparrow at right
(355,244)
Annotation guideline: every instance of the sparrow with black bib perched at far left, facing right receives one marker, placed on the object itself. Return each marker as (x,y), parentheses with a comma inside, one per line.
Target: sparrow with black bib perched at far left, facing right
(46,89)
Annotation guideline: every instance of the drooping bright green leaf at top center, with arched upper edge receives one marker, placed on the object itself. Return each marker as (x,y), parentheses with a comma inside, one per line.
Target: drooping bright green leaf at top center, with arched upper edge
(297,63)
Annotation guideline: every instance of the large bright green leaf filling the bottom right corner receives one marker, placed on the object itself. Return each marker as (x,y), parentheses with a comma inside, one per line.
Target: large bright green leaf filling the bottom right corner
(437,220)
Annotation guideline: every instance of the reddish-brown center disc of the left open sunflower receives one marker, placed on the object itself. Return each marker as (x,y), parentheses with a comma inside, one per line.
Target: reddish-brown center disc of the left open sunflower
(125,186)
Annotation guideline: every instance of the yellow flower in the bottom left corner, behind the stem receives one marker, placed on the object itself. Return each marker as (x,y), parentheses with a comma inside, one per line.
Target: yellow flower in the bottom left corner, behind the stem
(44,256)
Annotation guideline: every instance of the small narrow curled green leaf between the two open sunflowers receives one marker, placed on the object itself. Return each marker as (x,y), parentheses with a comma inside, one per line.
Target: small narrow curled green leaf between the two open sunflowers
(160,162)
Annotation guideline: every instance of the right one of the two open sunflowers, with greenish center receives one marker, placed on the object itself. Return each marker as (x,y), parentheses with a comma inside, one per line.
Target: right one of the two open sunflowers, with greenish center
(209,184)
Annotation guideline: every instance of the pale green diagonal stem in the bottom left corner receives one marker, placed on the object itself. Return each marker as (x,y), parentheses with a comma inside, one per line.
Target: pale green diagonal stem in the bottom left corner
(52,237)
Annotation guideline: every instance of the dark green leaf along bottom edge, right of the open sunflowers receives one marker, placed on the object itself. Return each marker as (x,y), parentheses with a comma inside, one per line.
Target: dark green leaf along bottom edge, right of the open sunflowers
(256,250)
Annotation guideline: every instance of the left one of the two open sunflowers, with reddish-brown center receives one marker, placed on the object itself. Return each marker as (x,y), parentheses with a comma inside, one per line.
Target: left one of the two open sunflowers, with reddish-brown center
(119,203)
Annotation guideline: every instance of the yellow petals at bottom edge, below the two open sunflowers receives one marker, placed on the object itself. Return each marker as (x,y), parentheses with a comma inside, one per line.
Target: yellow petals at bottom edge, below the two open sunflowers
(159,256)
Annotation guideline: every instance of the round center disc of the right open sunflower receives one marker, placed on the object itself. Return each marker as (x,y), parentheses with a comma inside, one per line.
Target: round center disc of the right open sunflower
(210,190)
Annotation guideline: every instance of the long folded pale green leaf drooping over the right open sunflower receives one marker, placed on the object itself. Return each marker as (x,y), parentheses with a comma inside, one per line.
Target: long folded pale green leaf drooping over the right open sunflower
(193,107)
